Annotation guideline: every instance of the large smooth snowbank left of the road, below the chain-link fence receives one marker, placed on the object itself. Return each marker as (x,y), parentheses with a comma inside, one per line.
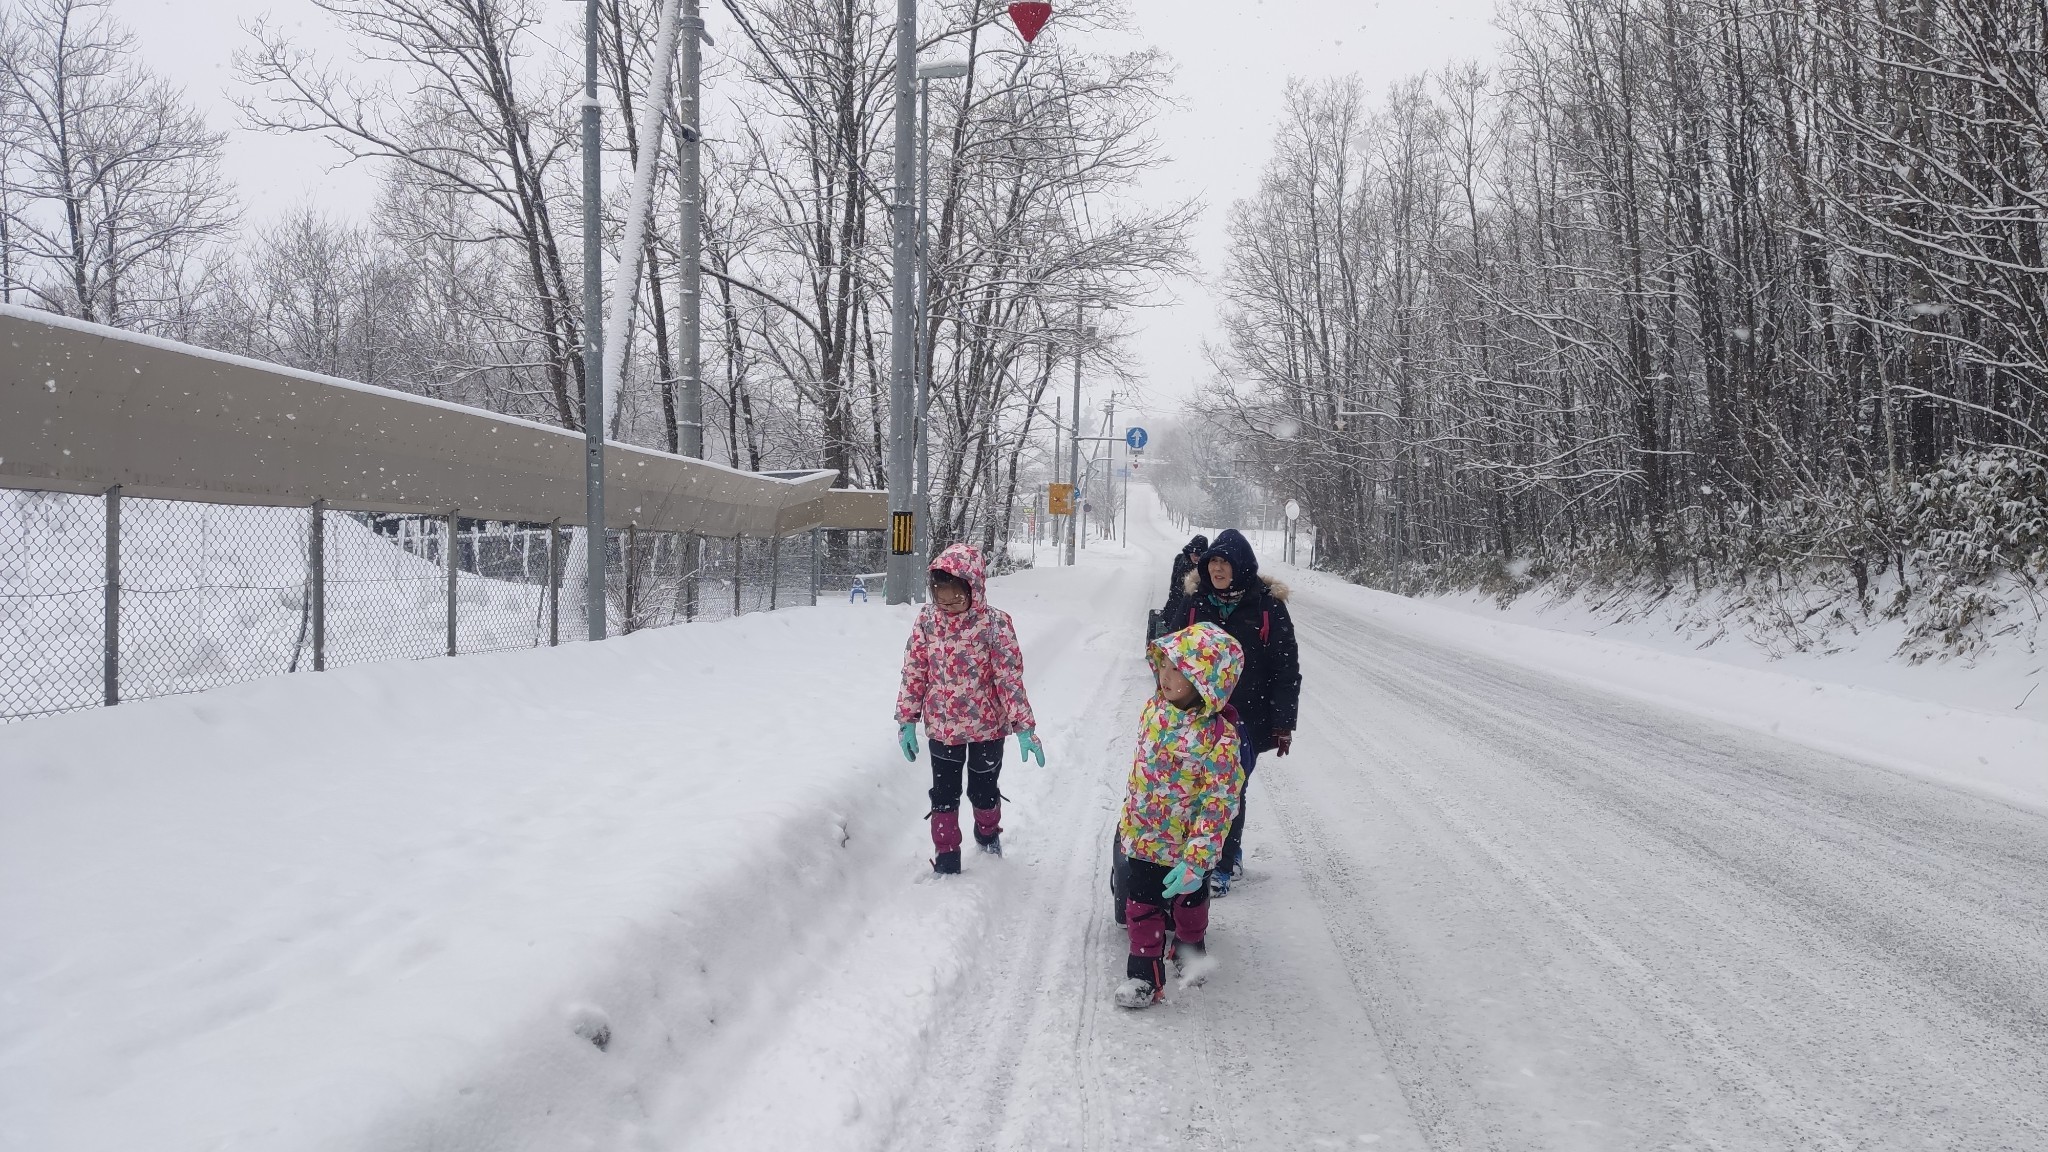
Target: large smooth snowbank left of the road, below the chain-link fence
(482,903)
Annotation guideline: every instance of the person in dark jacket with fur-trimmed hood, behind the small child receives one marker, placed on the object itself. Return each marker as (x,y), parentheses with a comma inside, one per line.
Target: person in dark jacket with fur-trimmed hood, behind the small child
(1228,589)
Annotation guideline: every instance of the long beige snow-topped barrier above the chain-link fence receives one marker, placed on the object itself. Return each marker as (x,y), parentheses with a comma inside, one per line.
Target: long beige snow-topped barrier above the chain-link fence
(85,407)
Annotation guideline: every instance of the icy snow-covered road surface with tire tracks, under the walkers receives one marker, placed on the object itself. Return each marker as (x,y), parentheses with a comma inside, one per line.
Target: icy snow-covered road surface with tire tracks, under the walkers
(1494,909)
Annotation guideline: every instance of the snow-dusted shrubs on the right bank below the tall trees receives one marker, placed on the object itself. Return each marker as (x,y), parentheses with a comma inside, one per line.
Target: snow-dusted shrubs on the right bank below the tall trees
(1953,557)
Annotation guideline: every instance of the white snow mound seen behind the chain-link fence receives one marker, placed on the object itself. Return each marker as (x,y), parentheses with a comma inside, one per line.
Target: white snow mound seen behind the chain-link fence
(216,593)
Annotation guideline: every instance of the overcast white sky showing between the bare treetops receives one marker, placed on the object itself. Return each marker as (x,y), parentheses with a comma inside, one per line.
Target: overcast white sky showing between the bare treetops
(1234,60)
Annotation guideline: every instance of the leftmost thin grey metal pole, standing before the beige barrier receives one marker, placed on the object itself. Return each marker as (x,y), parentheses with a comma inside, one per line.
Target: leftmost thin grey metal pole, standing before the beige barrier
(593,337)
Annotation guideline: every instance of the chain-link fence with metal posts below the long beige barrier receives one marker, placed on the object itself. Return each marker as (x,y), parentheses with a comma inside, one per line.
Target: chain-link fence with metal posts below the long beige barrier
(108,598)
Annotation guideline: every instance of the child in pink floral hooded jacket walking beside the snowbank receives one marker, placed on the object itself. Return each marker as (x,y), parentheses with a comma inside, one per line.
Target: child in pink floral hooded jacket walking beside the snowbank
(964,677)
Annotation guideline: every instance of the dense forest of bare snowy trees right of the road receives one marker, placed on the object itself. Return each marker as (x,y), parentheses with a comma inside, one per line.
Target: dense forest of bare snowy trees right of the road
(1672,292)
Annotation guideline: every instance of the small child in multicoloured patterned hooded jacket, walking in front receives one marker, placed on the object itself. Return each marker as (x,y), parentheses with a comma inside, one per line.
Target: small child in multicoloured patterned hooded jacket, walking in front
(1179,807)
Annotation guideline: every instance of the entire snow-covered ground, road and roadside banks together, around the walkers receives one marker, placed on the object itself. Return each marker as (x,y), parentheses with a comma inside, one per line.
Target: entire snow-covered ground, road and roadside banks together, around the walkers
(1514,891)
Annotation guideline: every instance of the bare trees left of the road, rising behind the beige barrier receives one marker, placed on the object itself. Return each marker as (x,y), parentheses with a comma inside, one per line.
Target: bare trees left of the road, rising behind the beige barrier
(464,278)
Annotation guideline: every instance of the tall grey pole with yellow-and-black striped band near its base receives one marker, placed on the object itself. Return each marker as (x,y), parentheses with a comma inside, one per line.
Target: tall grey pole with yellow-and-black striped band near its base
(902,313)
